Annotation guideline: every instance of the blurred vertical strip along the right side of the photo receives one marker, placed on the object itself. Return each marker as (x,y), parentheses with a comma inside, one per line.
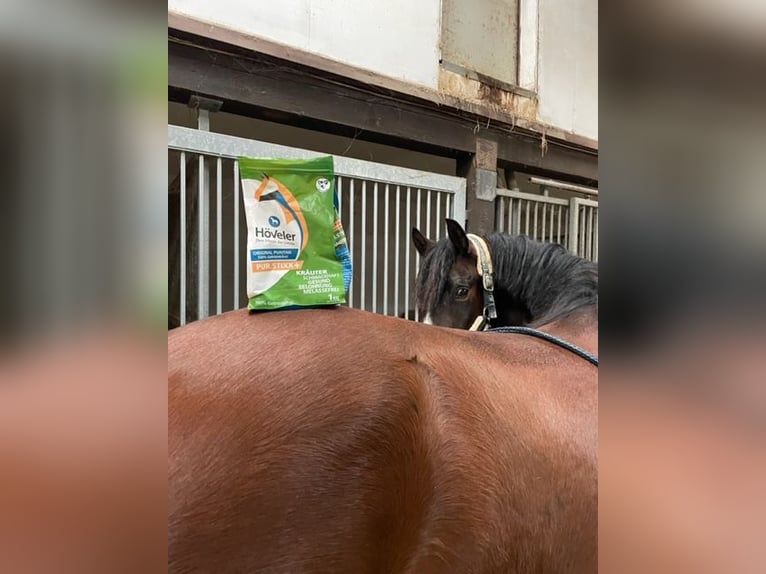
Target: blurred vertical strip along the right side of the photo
(683,391)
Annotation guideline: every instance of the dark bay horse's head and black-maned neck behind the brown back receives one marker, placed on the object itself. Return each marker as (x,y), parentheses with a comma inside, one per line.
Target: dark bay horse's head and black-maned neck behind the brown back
(535,283)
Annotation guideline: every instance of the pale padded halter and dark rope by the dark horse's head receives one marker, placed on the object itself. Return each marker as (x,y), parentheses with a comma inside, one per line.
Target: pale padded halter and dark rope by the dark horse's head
(489,312)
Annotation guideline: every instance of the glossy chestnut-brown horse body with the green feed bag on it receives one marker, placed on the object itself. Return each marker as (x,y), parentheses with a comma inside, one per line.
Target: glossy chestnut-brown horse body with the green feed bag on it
(339,441)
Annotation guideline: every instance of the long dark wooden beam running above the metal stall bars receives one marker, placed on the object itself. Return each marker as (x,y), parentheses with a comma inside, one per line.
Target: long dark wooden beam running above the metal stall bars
(255,84)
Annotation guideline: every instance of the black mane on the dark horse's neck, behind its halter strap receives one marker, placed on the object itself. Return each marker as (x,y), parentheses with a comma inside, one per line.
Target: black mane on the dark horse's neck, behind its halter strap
(545,277)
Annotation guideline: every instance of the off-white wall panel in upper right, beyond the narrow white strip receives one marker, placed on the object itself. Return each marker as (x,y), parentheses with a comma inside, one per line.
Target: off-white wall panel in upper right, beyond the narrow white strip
(568,65)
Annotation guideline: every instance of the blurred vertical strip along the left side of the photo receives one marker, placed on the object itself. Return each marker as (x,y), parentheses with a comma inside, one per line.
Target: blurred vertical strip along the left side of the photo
(83,402)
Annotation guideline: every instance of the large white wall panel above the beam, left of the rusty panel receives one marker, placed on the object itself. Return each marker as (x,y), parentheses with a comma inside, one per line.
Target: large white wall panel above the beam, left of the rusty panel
(396,38)
